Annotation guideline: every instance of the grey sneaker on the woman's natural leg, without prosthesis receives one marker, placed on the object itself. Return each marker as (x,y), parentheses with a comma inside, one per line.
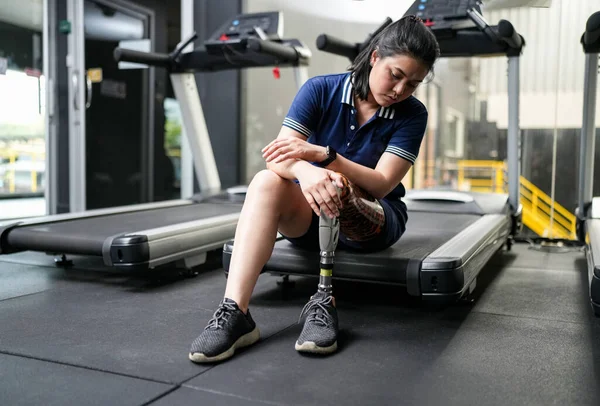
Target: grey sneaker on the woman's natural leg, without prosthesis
(228,330)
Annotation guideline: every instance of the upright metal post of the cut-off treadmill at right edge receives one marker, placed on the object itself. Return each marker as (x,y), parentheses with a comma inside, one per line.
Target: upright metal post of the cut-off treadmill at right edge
(586,144)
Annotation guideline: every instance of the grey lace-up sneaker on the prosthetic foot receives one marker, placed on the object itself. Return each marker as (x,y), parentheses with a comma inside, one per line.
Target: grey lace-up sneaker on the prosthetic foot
(319,335)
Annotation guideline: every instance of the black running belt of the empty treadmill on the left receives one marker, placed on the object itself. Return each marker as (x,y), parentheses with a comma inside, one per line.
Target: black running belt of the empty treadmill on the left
(86,236)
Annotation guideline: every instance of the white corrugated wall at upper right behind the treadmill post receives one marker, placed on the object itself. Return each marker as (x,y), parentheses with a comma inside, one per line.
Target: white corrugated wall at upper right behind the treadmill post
(552,65)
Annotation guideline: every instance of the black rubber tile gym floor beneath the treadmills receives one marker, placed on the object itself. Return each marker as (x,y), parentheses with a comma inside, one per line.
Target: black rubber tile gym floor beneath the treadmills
(80,337)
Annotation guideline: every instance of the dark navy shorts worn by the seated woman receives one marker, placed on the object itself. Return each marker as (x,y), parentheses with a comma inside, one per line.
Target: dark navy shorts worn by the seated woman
(394,227)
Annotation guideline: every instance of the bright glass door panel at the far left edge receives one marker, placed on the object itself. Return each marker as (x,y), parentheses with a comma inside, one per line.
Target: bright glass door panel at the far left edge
(23,80)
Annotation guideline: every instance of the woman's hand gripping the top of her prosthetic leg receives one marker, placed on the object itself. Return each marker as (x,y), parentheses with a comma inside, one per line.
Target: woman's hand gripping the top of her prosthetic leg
(319,188)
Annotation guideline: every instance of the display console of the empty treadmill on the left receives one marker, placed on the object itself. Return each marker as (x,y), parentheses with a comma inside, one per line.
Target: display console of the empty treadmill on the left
(234,33)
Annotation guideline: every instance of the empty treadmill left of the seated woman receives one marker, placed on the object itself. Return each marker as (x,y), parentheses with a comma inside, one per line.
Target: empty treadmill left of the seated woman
(142,237)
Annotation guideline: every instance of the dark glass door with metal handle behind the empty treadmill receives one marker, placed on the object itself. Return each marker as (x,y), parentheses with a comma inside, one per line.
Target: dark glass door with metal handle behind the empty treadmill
(111,131)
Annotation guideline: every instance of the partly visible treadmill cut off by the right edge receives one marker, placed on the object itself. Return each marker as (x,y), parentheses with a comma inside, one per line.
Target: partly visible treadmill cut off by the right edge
(588,210)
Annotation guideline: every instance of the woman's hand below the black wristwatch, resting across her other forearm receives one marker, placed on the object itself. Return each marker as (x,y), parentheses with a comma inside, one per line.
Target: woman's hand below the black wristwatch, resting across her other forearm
(281,149)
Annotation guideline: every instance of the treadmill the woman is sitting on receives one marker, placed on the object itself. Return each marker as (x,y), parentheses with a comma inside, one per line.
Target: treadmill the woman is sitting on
(450,235)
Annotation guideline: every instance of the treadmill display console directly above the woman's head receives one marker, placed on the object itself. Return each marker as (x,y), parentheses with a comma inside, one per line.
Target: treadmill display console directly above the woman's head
(439,14)
